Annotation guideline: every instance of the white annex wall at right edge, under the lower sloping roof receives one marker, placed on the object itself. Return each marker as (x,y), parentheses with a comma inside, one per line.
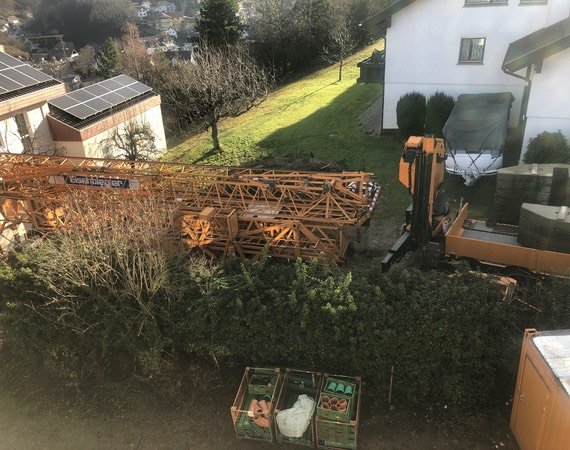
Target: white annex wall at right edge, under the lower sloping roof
(549,101)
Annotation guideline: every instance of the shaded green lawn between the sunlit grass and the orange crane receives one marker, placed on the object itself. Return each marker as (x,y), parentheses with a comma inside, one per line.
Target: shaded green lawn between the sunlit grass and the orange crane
(333,133)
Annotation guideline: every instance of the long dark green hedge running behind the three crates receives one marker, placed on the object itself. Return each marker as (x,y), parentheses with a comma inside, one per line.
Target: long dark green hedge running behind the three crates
(450,339)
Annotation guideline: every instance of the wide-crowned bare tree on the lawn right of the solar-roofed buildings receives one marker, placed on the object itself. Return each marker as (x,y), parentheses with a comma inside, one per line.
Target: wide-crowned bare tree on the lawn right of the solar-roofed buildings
(222,82)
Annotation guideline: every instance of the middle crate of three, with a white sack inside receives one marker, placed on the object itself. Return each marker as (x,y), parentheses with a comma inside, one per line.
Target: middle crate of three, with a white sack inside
(295,383)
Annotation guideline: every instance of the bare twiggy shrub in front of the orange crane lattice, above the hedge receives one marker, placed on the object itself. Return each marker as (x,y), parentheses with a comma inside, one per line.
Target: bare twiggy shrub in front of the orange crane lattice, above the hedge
(112,275)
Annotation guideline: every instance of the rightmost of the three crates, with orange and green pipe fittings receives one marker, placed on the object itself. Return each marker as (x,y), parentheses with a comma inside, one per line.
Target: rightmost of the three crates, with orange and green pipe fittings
(335,434)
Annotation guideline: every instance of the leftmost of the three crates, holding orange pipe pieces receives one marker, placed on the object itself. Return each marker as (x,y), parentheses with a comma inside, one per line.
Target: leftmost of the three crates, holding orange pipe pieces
(246,424)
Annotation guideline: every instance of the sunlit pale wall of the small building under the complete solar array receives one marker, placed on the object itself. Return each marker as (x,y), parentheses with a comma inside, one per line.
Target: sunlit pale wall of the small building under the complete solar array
(93,147)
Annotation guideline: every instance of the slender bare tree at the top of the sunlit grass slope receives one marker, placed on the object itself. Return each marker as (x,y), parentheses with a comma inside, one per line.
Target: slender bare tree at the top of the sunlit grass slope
(340,42)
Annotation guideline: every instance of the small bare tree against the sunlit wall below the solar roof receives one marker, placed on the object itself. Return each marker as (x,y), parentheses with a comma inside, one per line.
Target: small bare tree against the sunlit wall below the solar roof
(134,141)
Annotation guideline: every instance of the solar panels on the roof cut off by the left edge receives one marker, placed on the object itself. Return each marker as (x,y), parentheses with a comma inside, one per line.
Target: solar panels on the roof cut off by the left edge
(18,77)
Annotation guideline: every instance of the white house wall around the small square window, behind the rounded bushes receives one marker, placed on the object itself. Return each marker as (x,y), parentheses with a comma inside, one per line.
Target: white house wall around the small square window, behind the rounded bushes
(422,48)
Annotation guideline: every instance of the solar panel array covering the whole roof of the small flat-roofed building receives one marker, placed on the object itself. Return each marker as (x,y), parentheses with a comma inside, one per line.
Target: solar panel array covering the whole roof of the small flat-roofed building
(86,102)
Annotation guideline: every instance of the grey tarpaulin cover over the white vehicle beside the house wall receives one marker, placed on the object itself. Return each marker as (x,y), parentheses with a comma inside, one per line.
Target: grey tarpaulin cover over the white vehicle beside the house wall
(478,122)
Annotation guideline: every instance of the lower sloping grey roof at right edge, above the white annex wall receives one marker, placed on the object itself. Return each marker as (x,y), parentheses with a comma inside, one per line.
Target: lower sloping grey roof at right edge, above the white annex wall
(537,46)
